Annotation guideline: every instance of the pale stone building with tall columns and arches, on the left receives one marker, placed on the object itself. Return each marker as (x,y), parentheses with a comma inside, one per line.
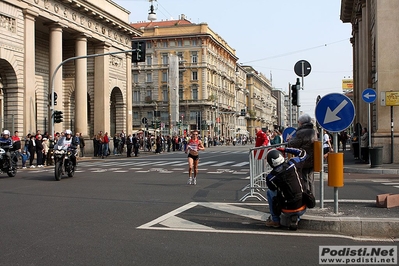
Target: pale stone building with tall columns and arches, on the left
(93,93)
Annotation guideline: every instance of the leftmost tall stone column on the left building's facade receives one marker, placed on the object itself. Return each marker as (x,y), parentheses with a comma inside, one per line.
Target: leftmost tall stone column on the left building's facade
(29,72)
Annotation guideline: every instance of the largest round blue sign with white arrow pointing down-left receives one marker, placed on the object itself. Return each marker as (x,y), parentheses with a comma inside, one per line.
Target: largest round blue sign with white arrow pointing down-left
(335,112)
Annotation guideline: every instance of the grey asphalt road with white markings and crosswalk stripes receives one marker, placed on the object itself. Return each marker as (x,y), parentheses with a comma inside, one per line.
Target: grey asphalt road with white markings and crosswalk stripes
(140,211)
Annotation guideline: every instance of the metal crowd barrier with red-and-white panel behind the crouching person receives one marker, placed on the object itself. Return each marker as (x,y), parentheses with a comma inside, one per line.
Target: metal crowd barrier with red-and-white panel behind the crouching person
(258,170)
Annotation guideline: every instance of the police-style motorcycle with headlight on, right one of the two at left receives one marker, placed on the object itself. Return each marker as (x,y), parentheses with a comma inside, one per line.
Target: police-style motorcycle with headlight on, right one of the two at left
(63,161)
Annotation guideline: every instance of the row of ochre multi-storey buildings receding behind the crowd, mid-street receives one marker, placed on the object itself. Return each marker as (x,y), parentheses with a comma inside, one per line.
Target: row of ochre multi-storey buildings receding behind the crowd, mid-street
(213,87)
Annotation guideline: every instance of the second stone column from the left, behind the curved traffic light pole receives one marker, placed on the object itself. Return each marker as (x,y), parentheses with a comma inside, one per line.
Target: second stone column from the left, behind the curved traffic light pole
(55,60)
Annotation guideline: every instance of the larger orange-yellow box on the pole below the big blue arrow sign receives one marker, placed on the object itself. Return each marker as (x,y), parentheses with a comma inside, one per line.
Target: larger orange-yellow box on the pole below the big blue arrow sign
(336,169)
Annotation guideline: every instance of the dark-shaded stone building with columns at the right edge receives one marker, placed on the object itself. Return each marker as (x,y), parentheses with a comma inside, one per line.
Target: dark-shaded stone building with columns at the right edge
(375,40)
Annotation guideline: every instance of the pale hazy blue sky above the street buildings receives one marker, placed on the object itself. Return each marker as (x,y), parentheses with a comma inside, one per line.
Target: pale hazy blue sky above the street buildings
(272,35)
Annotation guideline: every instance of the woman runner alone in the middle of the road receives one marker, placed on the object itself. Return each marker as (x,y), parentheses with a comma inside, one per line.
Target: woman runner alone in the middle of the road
(194,145)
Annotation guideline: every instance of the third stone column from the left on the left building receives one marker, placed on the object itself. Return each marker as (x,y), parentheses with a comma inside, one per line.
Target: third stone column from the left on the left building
(81,86)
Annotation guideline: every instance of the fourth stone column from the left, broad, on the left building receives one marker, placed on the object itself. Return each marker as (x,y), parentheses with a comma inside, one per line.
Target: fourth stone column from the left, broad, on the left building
(101,89)
